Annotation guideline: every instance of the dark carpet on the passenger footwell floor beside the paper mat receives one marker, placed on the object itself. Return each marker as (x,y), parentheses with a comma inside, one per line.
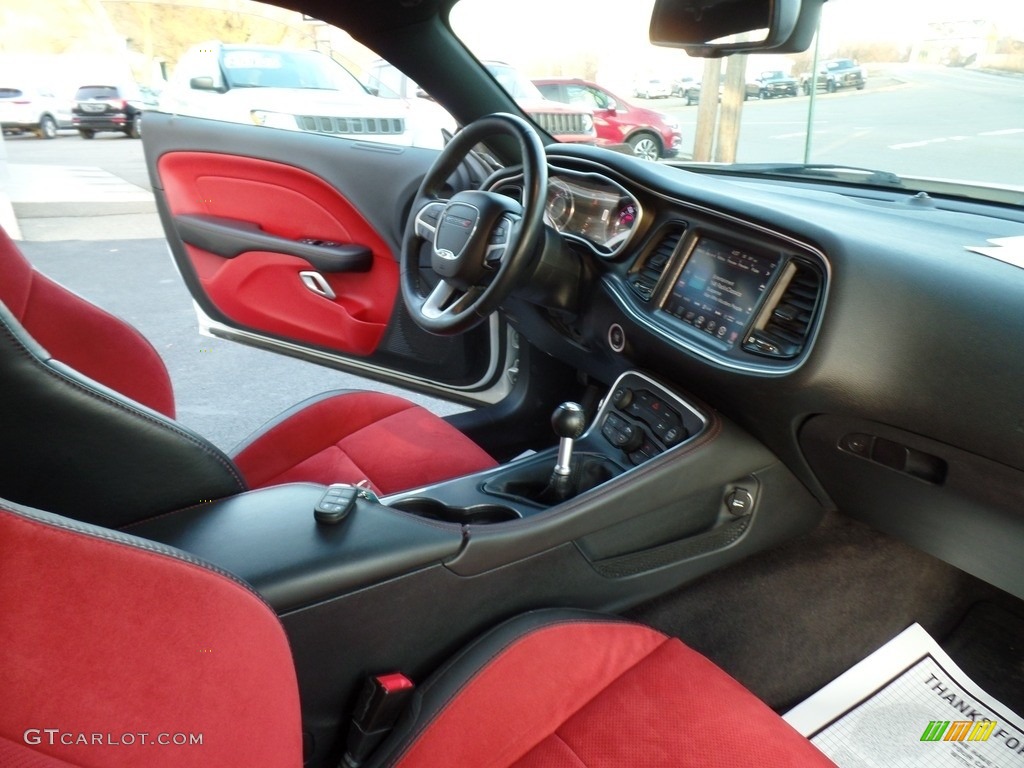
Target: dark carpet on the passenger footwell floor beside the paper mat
(788,622)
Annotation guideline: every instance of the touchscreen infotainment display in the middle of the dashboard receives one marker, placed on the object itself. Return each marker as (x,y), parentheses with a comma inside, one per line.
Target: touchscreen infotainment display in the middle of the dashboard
(719,288)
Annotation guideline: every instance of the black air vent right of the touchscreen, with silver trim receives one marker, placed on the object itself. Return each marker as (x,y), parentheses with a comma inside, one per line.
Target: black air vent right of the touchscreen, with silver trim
(785,326)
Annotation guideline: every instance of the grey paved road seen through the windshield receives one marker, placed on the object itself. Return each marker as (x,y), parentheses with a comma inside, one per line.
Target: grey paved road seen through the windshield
(912,121)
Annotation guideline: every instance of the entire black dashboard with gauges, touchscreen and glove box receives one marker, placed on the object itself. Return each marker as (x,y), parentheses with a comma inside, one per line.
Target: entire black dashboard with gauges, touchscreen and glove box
(822,320)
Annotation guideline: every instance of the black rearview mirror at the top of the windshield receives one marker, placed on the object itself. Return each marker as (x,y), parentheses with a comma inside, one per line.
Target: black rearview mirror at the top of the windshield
(719,28)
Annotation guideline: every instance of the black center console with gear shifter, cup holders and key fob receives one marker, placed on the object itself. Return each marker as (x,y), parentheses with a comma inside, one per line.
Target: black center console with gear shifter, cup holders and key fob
(655,492)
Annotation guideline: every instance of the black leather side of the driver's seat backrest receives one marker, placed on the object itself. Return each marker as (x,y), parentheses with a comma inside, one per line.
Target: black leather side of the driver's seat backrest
(82,450)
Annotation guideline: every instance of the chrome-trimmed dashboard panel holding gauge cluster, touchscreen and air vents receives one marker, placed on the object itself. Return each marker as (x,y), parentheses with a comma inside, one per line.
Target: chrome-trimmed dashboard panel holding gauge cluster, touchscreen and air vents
(736,294)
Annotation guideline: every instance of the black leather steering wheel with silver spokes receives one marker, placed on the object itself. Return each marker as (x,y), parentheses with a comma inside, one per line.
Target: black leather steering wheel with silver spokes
(481,242)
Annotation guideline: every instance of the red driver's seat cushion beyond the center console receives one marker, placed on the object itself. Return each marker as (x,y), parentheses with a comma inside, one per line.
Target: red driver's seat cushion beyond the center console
(351,437)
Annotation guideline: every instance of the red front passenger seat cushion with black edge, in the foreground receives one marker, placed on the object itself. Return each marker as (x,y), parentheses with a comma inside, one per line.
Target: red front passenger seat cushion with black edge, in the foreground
(559,688)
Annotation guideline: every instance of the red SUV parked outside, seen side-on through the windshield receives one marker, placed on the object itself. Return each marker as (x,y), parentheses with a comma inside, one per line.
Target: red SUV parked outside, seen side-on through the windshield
(650,134)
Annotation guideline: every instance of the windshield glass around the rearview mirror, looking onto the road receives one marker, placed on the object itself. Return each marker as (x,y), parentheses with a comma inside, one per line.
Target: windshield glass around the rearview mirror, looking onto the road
(918,90)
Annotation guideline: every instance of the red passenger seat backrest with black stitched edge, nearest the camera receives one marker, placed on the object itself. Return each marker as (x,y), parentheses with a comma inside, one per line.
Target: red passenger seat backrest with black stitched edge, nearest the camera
(108,637)
